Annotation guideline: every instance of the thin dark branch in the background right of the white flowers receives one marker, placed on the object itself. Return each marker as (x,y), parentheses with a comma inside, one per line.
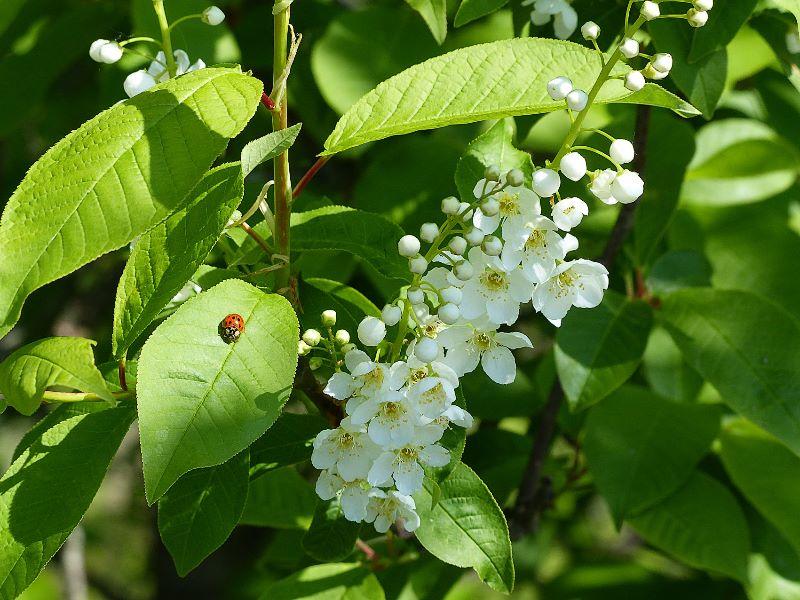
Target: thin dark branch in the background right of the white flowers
(531,500)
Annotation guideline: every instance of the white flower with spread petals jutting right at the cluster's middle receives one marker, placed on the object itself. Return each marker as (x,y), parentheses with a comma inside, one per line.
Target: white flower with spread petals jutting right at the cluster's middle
(470,344)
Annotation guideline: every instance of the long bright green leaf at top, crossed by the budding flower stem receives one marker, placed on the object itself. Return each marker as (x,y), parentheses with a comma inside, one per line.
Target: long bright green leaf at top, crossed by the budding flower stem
(487,81)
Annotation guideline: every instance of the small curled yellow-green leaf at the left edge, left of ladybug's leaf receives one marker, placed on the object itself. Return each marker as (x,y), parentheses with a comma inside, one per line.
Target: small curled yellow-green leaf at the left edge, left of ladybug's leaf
(59,361)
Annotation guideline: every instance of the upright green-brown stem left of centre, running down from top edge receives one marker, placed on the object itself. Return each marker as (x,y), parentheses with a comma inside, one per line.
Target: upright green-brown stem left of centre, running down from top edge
(283,182)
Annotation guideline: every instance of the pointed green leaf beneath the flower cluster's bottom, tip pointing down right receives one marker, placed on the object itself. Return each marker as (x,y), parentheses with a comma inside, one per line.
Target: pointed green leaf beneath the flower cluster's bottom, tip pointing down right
(466,528)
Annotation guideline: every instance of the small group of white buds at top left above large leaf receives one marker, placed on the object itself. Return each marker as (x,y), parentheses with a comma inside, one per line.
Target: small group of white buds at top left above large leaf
(109,52)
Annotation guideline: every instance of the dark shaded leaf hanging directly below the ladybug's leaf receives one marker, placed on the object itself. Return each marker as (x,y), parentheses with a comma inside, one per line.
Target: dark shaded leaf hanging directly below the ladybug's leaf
(199,512)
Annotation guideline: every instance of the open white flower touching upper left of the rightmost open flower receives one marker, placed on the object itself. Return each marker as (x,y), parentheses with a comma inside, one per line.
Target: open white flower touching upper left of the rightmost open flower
(536,246)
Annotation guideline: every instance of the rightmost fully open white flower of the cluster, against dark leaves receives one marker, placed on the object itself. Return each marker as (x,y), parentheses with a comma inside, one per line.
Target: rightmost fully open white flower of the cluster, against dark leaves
(578,283)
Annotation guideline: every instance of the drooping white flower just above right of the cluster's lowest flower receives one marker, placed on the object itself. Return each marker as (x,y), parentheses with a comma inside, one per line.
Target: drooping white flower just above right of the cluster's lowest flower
(404,465)
